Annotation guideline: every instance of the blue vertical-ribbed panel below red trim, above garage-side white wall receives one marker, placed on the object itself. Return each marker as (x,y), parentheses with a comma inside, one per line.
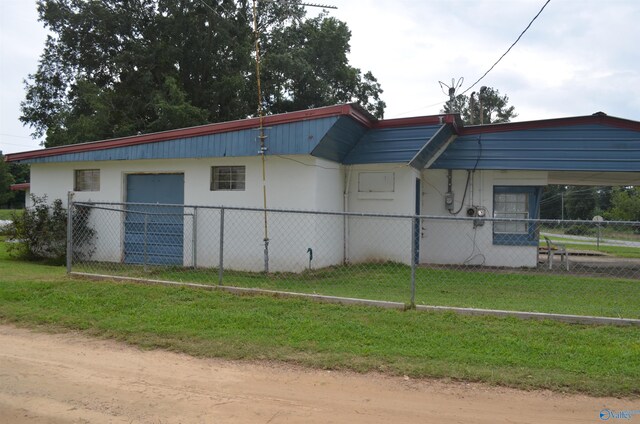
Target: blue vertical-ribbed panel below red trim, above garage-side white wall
(300,137)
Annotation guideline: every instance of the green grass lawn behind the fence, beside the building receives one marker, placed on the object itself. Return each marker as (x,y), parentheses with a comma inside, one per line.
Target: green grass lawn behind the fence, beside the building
(517,291)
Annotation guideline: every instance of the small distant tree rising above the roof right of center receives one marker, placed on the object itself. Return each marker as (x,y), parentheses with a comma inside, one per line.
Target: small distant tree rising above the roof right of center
(485,107)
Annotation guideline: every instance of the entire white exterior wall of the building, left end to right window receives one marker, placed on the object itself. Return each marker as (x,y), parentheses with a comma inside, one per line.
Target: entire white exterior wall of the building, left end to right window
(305,183)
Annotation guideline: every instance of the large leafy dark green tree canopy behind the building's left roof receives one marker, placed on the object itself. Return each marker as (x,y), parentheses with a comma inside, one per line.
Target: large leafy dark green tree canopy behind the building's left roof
(113,68)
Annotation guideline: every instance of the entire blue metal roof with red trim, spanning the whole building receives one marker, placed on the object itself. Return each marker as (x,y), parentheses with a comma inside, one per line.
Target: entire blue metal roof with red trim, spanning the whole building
(344,134)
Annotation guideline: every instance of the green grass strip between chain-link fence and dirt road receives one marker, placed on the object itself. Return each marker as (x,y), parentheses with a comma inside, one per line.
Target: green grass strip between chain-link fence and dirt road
(598,360)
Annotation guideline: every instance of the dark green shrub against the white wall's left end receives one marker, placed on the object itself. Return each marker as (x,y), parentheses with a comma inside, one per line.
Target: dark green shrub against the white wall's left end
(40,232)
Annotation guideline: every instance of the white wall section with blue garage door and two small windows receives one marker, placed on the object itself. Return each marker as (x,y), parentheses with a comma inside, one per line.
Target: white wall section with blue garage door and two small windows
(295,182)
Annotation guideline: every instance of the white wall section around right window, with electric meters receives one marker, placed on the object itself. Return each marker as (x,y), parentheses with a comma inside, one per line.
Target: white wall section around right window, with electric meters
(456,242)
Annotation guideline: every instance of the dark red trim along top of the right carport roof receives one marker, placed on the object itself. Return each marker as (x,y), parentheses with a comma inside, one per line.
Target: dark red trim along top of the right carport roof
(551,123)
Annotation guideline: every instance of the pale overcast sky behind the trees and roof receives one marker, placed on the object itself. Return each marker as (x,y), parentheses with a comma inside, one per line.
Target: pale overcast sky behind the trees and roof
(578,57)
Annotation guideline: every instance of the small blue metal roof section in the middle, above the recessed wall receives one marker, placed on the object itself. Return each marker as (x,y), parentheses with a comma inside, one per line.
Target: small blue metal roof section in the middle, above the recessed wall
(391,145)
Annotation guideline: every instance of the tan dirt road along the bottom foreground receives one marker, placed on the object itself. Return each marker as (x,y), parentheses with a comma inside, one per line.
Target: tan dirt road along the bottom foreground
(68,378)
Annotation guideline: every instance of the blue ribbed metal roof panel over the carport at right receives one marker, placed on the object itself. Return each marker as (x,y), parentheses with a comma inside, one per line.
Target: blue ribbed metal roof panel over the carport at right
(594,147)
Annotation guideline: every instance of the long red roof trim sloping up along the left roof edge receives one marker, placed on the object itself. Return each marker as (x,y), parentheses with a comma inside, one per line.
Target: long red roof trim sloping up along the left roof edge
(284,118)
